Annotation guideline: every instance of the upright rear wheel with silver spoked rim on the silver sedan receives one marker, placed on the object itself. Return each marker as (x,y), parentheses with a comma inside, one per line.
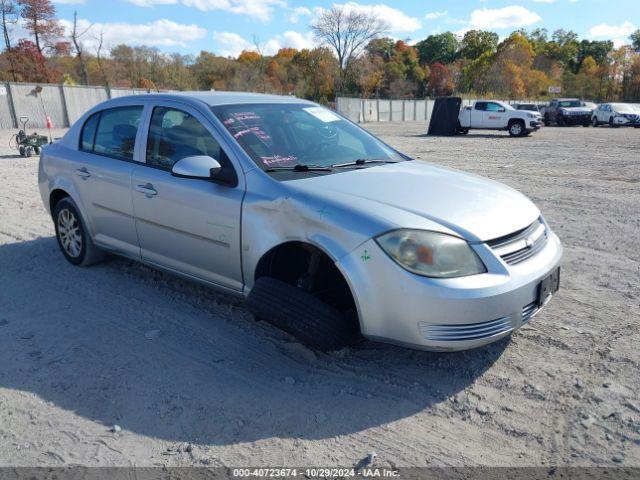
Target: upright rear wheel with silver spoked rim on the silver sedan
(74,242)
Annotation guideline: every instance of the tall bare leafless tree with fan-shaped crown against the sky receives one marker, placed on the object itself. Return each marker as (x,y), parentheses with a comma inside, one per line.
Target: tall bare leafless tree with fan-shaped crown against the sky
(347,31)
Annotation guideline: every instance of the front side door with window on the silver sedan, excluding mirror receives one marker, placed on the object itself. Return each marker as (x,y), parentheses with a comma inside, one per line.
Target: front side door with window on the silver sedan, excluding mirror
(191,226)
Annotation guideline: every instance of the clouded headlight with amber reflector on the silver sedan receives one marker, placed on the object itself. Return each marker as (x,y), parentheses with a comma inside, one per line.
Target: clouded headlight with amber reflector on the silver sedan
(431,254)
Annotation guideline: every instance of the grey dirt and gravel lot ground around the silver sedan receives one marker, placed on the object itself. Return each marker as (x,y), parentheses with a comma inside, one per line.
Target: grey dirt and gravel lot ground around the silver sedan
(192,379)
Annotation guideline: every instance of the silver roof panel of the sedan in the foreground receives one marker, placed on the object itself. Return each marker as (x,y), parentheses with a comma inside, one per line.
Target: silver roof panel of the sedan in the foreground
(220,98)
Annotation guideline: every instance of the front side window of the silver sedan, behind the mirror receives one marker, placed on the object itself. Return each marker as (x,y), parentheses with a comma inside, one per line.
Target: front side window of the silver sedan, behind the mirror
(174,135)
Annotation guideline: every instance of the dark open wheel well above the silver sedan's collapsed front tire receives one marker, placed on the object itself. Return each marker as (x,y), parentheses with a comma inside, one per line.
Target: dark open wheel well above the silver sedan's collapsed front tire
(306,266)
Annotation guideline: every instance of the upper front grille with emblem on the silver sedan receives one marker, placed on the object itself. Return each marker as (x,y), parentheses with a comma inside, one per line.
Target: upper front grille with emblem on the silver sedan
(521,245)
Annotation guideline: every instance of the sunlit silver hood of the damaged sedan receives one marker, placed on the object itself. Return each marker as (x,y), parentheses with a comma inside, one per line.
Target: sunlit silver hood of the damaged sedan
(474,207)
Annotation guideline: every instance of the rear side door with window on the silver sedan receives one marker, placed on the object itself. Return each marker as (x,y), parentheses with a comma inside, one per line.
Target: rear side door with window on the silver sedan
(103,176)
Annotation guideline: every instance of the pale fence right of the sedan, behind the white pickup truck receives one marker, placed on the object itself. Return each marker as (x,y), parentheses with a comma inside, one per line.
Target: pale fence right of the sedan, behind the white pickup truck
(388,110)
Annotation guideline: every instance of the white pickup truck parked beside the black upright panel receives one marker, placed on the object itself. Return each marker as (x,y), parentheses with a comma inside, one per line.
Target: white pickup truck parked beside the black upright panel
(495,115)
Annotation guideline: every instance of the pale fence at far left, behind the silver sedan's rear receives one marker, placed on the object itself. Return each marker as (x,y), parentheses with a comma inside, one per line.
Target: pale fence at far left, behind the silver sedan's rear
(64,104)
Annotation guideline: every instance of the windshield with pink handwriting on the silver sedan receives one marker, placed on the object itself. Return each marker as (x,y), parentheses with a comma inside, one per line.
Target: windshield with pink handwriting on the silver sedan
(285,135)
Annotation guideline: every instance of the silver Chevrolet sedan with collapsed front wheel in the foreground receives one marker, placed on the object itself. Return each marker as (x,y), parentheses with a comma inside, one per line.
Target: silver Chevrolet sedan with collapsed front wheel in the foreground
(328,231)
